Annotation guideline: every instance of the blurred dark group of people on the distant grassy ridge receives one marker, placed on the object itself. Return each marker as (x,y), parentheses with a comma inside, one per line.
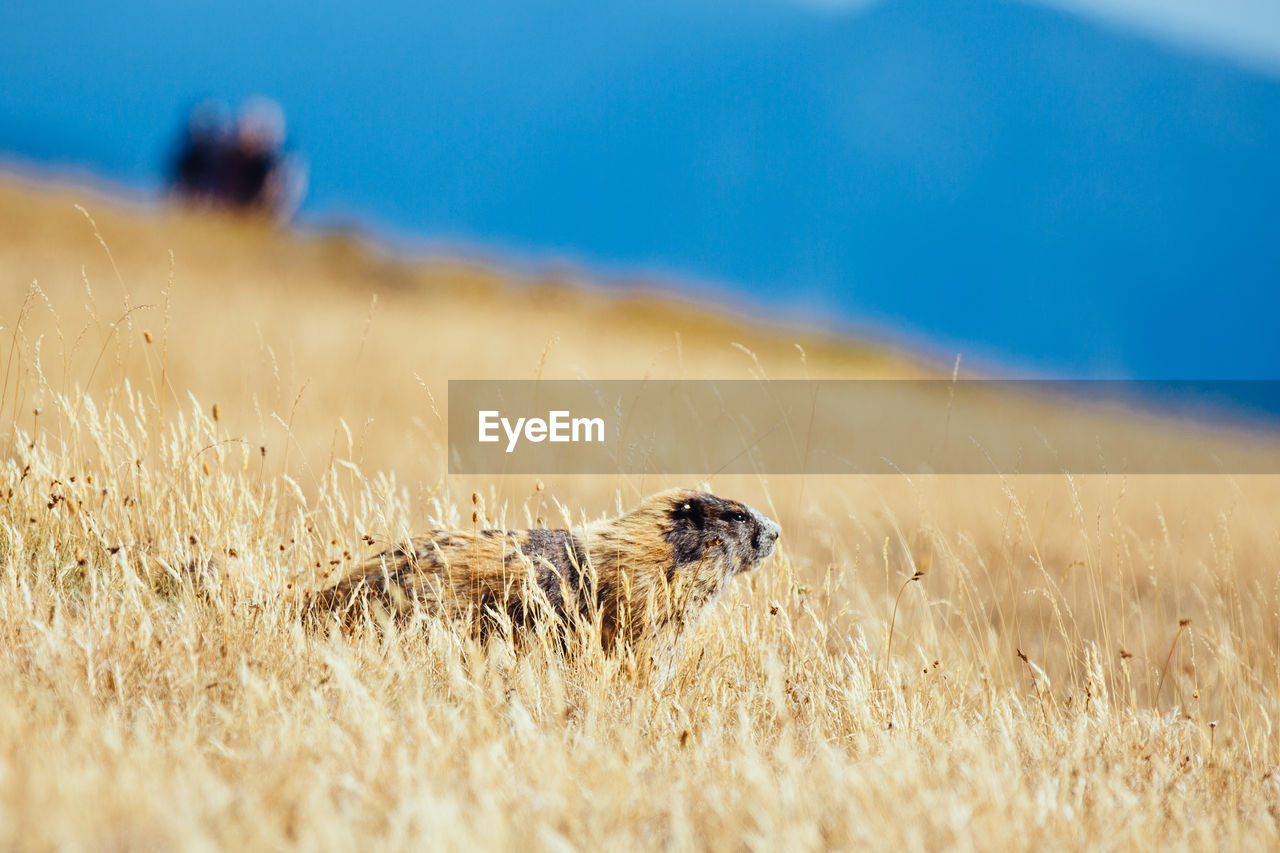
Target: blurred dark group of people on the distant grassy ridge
(241,167)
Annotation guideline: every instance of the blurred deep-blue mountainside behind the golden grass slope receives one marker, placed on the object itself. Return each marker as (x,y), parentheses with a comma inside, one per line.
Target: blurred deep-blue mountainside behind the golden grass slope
(982,177)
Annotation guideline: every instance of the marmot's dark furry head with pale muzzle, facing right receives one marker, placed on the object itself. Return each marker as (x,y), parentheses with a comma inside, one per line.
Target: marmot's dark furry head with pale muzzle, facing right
(715,532)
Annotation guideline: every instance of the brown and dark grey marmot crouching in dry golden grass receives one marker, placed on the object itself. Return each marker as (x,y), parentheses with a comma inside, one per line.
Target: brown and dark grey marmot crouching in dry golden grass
(652,571)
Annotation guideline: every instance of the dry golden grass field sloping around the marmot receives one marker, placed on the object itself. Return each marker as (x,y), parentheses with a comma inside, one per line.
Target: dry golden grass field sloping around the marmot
(949,663)
